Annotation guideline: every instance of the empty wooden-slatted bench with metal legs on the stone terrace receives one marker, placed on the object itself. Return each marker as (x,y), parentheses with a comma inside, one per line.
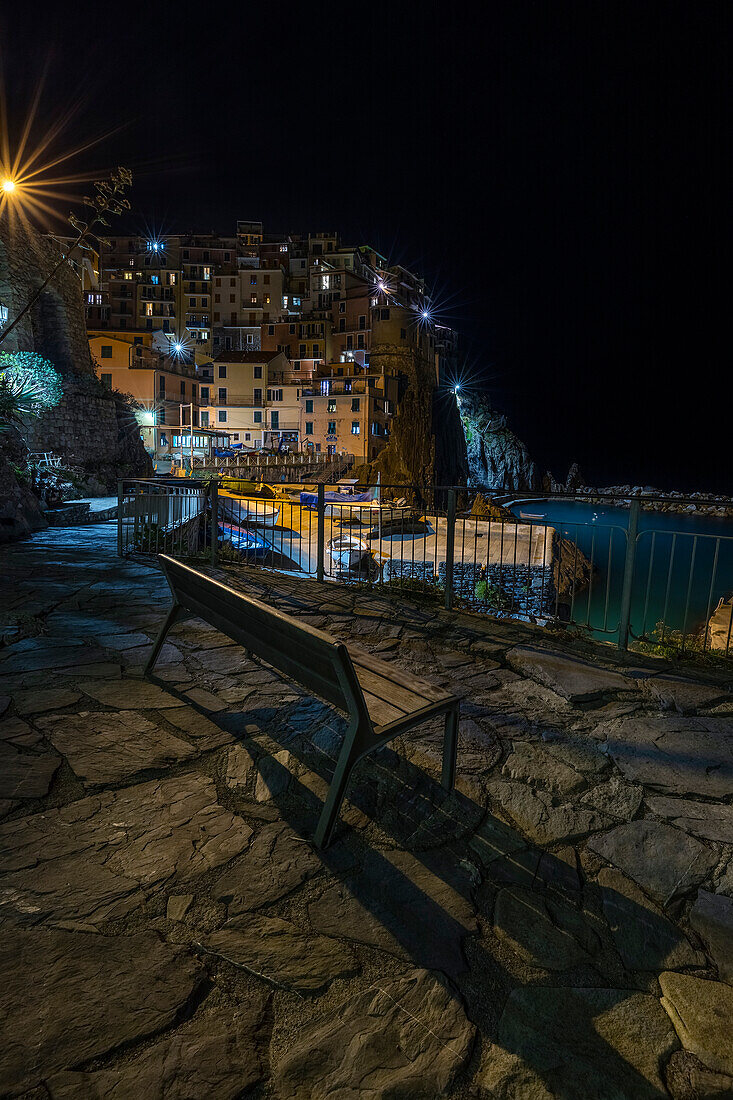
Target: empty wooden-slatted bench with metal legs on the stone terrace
(380,700)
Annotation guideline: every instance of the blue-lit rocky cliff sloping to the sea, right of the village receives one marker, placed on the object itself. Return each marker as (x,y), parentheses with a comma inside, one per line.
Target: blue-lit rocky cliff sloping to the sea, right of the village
(497,458)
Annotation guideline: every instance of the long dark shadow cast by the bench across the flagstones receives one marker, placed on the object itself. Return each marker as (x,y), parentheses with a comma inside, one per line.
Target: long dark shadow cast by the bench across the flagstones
(451,856)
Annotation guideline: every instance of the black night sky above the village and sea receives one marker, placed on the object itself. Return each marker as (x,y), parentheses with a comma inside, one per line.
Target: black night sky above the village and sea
(560,172)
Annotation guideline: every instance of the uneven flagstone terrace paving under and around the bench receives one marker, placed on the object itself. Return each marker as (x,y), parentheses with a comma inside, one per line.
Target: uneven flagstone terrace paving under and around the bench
(560,927)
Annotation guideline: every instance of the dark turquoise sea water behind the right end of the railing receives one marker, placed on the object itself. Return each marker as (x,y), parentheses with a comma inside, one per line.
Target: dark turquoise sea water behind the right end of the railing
(684,565)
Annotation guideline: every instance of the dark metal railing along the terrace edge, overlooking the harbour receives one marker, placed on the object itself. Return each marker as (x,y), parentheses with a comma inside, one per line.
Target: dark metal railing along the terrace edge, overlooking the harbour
(632,578)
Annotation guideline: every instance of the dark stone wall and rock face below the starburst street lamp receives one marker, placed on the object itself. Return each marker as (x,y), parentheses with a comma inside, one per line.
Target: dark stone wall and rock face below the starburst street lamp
(92,430)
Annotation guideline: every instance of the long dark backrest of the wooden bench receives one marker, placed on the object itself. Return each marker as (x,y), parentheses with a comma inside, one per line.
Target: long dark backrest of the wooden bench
(312,658)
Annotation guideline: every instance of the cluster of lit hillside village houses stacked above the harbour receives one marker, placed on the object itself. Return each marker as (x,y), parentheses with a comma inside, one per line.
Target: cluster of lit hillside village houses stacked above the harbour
(296,342)
